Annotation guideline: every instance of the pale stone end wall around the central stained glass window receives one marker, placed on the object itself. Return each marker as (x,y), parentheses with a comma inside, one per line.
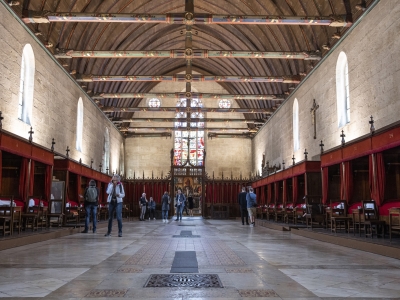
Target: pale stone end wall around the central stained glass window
(227,155)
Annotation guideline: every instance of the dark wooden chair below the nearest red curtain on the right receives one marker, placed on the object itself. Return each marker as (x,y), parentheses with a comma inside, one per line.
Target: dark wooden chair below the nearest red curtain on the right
(371,222)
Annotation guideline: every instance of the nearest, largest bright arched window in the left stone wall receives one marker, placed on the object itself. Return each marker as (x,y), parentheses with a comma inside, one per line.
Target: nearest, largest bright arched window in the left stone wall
(25,101)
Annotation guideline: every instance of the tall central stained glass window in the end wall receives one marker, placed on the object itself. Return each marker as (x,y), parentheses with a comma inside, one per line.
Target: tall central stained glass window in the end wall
(189,145)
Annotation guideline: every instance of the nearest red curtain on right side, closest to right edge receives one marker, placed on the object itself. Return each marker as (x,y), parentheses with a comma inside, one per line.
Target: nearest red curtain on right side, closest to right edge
(377,177)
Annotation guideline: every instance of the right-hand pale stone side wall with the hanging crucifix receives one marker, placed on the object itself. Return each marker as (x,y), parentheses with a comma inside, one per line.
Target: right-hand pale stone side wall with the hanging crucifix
(373,51)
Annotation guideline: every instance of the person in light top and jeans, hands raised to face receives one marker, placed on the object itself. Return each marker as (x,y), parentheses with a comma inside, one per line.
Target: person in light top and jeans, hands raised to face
(116,193)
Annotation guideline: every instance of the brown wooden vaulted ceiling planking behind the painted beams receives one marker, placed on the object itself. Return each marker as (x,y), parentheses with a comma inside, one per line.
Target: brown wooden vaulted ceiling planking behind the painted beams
(159,36)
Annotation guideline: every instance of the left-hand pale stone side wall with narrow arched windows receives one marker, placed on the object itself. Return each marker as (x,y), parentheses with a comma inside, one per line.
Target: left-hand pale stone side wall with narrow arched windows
(55,100)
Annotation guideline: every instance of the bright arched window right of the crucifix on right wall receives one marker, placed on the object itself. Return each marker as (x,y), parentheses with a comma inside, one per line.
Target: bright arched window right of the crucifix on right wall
(342,90)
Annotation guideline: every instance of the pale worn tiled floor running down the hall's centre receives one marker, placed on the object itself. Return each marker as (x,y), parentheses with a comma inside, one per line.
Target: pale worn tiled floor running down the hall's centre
(252,263)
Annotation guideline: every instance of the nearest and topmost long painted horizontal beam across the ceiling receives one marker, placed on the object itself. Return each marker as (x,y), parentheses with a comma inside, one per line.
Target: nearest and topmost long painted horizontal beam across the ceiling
(29,16)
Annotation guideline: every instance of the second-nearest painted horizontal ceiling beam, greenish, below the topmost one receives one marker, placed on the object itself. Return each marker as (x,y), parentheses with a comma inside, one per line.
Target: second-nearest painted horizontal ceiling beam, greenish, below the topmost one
(178,53)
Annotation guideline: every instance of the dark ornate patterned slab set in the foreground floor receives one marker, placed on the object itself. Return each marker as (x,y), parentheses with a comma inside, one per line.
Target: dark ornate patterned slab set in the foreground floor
(184,280)
